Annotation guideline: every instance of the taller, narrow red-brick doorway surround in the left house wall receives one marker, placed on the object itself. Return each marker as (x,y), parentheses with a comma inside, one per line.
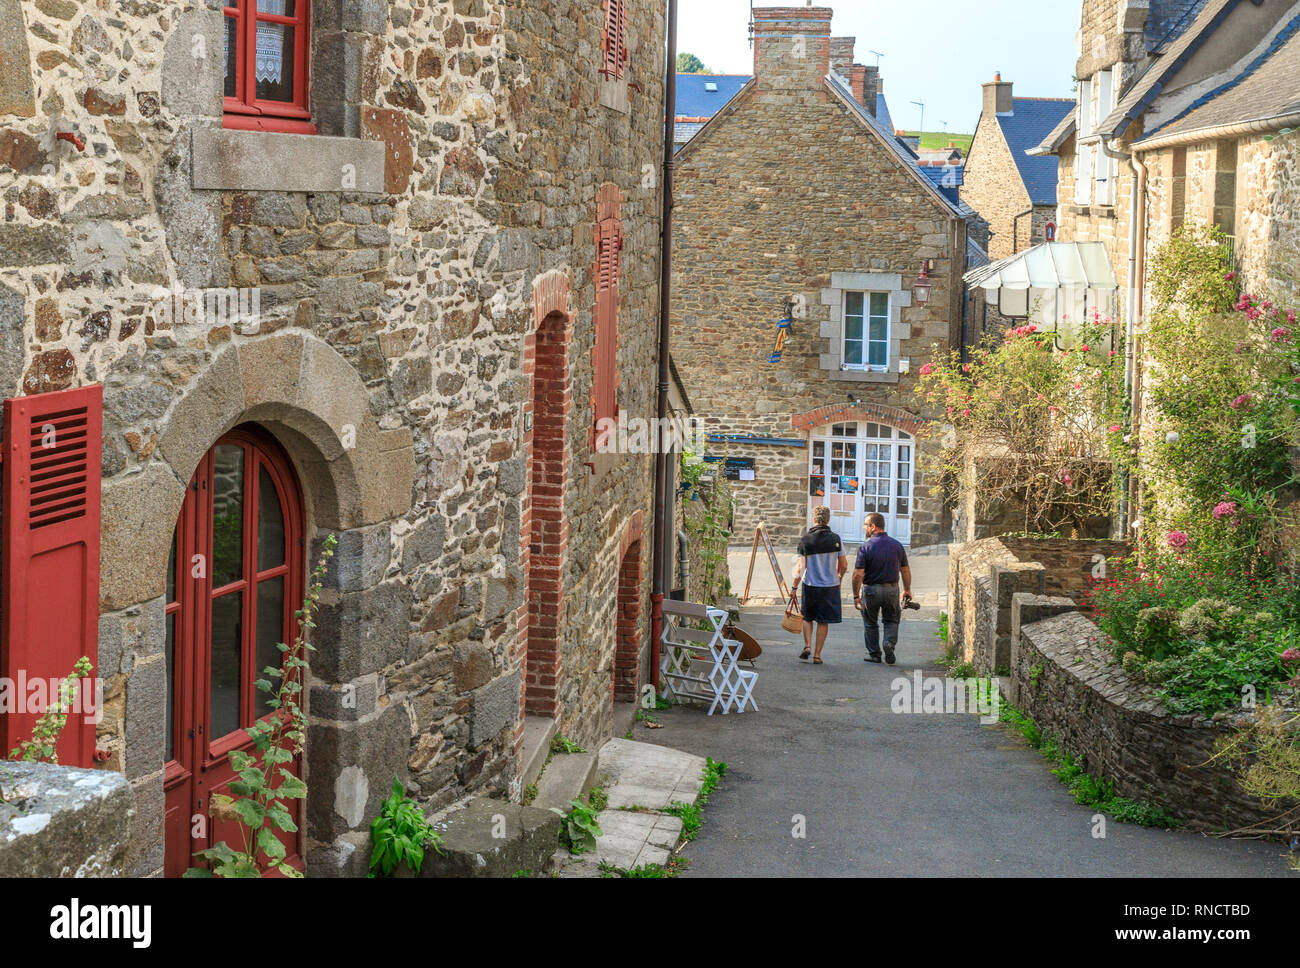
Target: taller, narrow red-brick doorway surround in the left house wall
(545,535)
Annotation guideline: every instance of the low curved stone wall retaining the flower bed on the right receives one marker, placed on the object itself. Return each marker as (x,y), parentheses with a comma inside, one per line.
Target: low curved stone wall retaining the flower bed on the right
(1065,679)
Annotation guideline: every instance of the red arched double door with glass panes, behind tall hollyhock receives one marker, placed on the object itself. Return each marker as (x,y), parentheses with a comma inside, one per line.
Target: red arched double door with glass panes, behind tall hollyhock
(233,584)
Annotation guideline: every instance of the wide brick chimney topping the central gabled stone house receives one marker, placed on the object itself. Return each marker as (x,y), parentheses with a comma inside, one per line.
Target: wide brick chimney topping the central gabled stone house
(792,47)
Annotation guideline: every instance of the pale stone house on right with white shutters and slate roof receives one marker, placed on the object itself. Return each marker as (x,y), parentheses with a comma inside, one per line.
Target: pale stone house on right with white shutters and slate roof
(1185,115)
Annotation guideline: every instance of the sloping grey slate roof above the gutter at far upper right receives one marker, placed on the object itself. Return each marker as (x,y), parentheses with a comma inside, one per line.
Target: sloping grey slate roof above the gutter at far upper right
(1267,89)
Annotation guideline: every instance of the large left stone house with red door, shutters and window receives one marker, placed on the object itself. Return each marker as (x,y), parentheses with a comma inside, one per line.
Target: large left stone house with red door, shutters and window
(356,268)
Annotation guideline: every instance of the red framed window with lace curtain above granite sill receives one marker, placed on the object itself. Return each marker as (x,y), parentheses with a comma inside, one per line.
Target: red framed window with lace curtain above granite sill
(266,60)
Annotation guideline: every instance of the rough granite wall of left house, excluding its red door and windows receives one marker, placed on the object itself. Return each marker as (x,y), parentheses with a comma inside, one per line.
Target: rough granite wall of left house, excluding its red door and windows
(388,270)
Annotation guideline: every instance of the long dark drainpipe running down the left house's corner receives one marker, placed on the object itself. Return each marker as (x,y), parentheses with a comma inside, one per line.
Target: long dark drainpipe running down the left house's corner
(661,470)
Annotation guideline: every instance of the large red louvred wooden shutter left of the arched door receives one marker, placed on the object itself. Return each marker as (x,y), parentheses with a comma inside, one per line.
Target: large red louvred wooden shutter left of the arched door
(50,558)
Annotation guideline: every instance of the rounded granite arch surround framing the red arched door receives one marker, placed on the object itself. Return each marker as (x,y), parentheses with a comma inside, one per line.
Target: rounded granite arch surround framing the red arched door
(356,481)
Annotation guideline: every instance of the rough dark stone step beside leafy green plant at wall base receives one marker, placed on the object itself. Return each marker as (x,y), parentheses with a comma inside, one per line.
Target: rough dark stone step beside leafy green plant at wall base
(473,845)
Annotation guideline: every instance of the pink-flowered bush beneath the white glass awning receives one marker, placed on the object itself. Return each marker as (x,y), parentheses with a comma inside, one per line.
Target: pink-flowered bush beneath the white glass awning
(1030,426)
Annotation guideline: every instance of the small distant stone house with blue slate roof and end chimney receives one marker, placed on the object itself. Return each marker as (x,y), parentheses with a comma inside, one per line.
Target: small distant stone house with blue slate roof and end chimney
(1015,194)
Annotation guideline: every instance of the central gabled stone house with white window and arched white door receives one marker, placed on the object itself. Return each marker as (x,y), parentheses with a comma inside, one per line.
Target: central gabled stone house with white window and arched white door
(796,205)
